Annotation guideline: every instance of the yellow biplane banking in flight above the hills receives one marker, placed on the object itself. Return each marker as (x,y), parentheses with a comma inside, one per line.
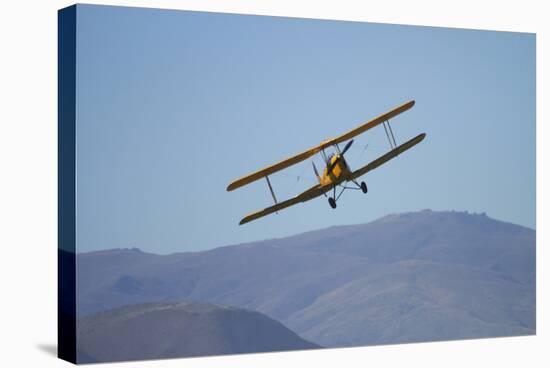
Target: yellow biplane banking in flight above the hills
(336,172)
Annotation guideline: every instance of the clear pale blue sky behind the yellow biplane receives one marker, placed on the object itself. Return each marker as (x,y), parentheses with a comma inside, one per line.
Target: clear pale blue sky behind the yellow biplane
(173,105)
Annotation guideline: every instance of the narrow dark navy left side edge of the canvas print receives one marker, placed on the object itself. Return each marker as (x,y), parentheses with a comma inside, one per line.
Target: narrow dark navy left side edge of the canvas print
(66,271)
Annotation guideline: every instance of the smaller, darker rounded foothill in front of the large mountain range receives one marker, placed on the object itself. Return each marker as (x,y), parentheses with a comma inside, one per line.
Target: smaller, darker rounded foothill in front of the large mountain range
(153,331)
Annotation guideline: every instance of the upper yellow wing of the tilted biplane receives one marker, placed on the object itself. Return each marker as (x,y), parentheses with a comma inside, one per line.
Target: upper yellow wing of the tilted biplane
(312,151)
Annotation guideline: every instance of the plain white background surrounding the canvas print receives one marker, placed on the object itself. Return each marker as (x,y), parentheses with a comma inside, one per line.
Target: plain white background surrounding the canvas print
(28,188)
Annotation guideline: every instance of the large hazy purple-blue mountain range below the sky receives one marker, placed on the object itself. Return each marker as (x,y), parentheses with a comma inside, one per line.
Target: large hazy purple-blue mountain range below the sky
(409,277)
